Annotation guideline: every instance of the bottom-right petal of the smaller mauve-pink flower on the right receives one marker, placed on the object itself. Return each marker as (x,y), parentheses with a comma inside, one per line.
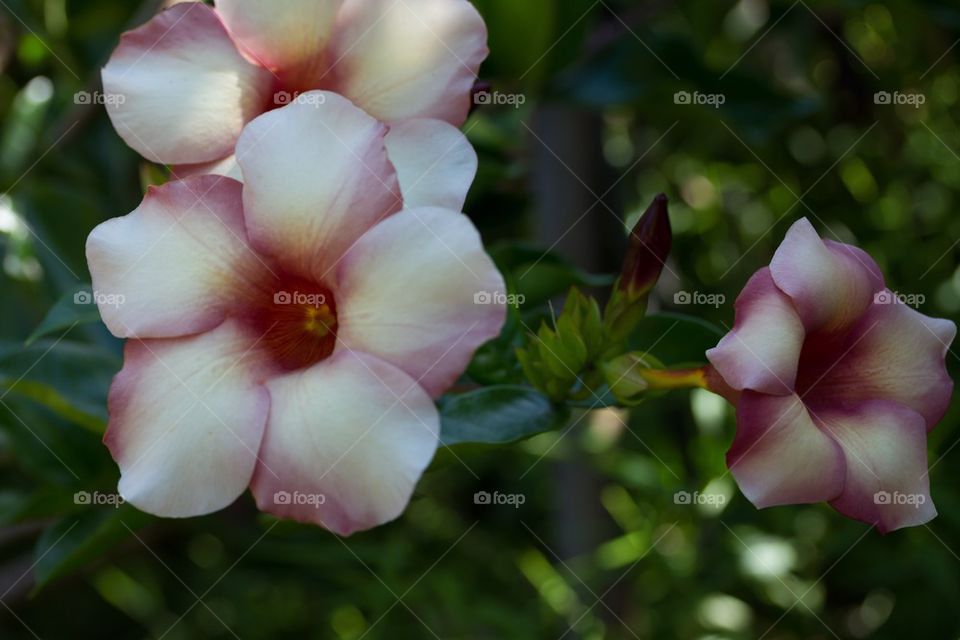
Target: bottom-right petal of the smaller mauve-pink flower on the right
(885,445)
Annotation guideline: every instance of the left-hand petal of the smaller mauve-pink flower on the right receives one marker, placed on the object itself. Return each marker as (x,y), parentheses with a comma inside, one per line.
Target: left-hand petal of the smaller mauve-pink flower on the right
(762,351)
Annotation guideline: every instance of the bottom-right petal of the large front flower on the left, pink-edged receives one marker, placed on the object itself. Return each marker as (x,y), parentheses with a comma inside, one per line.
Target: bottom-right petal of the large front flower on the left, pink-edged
(349,438)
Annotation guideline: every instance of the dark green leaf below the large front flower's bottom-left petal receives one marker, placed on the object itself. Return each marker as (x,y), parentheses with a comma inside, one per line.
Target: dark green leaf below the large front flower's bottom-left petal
(77,540)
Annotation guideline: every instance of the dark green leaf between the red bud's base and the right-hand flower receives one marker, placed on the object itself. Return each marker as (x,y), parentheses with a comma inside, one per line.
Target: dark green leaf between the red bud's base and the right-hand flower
(675,338)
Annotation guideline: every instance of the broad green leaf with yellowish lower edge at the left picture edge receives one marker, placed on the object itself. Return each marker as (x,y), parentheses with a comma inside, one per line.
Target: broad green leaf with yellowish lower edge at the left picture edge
(71,379)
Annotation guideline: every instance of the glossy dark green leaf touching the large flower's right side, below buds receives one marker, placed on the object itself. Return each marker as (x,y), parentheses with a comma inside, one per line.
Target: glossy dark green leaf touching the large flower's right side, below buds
(496,415)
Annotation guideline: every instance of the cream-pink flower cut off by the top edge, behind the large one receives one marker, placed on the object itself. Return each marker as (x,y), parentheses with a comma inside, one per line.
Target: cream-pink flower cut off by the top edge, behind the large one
(193,76)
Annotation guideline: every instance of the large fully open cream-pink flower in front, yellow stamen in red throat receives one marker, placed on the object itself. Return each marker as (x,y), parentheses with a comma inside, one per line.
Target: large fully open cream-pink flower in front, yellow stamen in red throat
(289,333)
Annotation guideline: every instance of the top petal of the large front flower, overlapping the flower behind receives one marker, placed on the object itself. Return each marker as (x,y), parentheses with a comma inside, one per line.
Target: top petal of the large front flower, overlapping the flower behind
(316,178)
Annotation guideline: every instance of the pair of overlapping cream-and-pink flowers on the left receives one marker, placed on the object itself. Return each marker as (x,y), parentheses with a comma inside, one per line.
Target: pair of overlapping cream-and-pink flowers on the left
(297,298)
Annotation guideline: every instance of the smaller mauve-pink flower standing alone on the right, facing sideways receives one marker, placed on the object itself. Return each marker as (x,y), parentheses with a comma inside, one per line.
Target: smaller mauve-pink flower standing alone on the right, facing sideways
(838,384)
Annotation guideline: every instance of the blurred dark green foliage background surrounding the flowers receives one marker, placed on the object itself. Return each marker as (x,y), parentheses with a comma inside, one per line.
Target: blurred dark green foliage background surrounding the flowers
(601,546)
